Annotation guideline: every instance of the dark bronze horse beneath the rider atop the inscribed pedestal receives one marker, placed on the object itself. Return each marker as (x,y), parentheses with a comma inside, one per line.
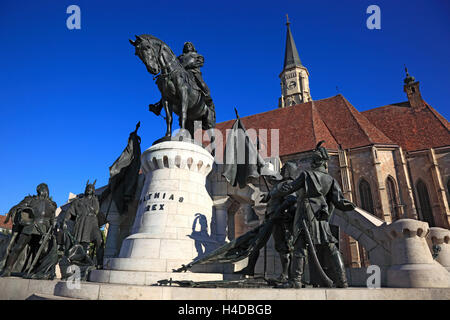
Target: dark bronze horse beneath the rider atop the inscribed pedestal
(179,90)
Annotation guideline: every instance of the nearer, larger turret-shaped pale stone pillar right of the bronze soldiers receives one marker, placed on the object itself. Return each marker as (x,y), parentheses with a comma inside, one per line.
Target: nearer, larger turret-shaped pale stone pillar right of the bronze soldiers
(412,263)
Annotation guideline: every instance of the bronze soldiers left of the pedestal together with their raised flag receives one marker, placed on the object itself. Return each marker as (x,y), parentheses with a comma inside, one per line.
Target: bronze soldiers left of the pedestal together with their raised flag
(73,239)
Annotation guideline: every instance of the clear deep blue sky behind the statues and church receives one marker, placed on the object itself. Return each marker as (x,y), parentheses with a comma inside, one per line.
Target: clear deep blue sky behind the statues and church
(69,98)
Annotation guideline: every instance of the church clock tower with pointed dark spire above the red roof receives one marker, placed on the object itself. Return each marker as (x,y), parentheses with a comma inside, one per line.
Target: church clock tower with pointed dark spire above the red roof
(294,77)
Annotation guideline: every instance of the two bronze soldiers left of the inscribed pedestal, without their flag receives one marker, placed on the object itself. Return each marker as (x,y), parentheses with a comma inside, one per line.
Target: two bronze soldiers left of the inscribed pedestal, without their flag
(40,240)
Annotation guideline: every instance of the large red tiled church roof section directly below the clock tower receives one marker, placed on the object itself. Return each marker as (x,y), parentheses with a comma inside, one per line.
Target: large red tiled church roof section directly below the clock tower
(302,126)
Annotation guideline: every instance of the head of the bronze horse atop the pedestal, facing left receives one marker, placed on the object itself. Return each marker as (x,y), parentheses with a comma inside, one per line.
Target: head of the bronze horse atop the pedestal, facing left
(147,48)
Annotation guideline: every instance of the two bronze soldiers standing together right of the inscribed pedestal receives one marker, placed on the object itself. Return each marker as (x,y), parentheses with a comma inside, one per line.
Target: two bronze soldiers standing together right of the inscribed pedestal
(300,206)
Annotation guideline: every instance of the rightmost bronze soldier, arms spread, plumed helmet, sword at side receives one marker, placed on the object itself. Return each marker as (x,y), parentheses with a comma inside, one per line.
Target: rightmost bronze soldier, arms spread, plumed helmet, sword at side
(318,194)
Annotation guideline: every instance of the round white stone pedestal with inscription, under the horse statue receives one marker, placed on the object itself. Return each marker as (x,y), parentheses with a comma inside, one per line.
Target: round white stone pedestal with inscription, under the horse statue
(172,224)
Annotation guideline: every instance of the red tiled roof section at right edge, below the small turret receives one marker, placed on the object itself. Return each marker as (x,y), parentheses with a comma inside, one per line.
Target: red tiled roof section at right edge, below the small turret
(412,128)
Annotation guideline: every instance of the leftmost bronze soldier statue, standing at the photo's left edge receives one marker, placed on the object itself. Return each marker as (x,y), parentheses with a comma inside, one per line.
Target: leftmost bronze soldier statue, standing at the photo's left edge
(35,216)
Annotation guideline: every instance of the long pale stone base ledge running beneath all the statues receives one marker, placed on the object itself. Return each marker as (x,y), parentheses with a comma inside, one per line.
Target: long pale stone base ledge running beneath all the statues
(21,289)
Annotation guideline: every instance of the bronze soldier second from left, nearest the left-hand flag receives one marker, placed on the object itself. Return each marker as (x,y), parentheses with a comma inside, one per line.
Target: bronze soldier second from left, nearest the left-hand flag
(85,212)
